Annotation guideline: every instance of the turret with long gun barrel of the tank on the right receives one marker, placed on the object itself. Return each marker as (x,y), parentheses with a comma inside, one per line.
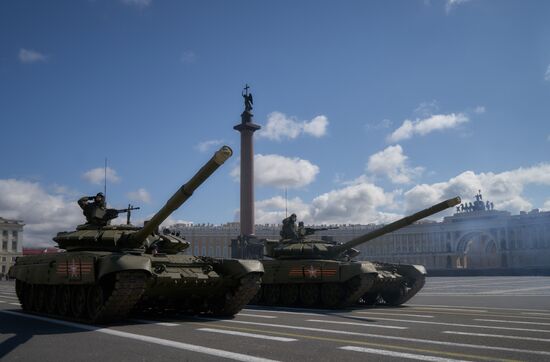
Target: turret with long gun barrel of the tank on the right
(318,249)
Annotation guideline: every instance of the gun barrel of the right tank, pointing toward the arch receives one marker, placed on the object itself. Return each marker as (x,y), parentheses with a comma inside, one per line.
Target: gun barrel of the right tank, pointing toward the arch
(401,223)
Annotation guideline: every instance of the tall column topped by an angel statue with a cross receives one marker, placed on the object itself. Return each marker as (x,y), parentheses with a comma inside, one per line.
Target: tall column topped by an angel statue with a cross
(247,127)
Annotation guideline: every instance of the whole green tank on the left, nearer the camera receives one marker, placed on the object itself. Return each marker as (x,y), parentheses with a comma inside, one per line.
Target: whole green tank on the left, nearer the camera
(109,270)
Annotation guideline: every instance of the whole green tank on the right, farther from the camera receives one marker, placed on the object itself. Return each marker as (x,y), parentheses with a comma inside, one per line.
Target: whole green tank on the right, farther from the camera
(315,273)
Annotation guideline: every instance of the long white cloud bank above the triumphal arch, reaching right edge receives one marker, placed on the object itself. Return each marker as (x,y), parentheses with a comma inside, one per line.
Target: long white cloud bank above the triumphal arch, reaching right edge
(505,189)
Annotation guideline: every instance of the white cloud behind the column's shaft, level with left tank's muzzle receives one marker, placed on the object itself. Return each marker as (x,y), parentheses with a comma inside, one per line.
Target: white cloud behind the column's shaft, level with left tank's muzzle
(279,171)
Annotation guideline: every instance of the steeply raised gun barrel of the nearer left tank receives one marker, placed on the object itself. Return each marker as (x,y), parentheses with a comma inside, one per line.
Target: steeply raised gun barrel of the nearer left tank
(183,193)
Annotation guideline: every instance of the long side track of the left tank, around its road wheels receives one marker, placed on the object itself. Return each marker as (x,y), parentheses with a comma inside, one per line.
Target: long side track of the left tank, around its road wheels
(118,299)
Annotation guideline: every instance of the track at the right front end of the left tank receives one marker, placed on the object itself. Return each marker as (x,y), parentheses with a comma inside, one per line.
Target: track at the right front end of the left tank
(236,299)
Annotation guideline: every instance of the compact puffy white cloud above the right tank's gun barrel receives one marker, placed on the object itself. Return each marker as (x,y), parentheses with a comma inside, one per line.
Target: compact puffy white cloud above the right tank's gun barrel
(392,163)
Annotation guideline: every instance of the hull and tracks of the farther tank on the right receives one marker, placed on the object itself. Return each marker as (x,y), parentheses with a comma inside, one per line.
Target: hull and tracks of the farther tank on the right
(315,283)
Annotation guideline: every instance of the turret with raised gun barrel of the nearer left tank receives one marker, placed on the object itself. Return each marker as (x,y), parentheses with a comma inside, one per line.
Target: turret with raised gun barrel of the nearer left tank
(114,237)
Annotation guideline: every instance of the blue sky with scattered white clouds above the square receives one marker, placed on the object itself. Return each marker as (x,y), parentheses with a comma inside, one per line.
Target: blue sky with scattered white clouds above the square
(369,109)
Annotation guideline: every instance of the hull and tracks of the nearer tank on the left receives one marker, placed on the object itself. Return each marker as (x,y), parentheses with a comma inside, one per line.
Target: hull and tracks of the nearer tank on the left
(100,287)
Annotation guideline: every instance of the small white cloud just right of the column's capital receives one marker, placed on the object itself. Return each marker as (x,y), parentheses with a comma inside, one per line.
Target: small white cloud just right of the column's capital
(279,126)
